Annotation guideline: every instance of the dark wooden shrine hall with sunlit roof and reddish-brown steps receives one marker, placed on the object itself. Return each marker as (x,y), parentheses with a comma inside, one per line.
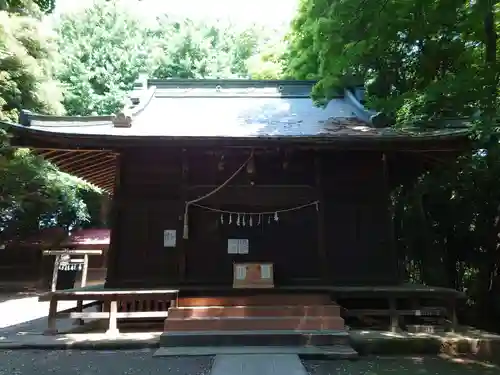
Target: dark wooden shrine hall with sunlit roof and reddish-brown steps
(244,192)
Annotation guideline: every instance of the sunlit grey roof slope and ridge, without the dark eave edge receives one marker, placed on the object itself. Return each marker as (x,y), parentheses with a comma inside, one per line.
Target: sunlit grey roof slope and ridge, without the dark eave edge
(205,108)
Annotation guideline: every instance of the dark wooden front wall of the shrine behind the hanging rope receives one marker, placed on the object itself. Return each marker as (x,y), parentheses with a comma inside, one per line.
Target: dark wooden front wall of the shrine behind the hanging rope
(348,242)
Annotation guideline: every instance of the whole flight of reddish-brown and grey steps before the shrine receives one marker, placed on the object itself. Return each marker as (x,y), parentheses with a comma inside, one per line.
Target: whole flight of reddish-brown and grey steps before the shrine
(278,323)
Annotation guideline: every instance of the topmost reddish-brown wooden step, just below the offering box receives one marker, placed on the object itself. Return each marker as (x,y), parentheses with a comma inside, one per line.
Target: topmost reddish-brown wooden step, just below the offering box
(257,300)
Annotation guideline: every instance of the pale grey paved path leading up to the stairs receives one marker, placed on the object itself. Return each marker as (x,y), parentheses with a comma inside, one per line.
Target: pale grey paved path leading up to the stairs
(258,364)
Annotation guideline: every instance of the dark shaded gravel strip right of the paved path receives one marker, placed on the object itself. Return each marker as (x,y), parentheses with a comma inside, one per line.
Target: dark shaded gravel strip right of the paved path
(398,365)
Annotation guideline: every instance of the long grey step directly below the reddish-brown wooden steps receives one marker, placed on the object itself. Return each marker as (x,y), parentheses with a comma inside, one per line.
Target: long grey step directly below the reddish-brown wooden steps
(297,338)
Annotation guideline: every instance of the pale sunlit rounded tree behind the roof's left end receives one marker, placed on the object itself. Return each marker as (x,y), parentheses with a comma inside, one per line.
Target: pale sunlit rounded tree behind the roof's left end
(103,50)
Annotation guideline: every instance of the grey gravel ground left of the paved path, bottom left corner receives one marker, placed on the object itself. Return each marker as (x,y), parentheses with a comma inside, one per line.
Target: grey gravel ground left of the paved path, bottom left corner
(66,362)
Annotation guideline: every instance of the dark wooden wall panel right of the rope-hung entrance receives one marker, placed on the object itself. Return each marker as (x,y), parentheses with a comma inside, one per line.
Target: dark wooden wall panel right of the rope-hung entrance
(357,217)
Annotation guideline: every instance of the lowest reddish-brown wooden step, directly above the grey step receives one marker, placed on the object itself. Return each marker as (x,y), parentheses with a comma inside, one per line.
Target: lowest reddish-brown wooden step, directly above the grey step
(249,324)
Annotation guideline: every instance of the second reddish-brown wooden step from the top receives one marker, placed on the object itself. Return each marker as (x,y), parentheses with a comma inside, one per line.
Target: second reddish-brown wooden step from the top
(201,312)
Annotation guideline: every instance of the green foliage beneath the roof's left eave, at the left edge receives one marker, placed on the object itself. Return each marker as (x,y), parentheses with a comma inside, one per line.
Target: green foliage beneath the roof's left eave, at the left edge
(34,194)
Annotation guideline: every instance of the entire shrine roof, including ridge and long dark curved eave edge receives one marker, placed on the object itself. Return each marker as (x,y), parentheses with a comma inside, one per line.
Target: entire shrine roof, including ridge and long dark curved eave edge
(228,112)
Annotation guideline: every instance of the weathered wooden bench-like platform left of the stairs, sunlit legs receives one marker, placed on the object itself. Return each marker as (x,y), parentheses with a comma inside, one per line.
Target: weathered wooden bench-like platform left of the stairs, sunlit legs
(109,299)
